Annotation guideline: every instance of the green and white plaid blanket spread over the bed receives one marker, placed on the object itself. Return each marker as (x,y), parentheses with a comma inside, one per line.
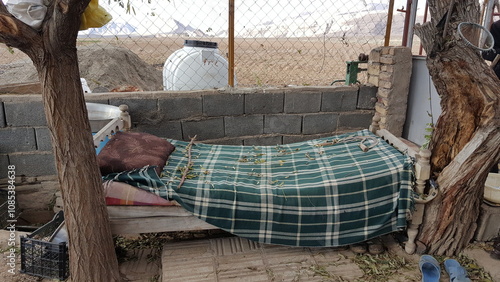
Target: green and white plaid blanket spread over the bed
(301,194)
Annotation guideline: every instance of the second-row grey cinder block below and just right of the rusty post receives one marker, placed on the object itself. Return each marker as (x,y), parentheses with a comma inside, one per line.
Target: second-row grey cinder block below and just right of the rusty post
(244,125)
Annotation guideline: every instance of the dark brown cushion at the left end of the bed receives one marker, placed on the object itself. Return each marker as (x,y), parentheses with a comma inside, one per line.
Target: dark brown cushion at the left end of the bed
(132,150)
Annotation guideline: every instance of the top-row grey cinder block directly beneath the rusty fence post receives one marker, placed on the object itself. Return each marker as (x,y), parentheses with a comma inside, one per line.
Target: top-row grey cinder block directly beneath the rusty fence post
(223,104)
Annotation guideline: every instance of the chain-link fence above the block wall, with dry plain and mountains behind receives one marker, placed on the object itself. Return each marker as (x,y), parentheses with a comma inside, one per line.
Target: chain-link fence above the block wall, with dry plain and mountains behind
(276,43)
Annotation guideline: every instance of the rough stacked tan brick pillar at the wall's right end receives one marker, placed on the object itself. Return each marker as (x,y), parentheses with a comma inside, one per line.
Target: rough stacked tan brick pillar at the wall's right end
(389,69)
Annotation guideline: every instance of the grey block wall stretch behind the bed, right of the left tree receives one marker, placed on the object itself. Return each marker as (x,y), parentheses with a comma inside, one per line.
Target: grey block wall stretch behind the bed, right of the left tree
(250,116)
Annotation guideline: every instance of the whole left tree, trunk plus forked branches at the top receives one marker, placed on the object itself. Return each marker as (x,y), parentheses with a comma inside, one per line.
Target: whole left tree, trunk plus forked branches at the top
(53,52)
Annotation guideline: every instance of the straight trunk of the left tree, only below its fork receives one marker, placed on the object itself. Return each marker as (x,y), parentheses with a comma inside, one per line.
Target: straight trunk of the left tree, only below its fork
(92,256)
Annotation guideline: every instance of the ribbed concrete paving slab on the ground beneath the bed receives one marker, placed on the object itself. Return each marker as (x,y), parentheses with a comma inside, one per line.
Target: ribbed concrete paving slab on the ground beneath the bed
(234,258)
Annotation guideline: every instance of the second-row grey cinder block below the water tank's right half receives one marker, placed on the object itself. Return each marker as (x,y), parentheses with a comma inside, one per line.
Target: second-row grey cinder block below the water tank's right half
(203,129)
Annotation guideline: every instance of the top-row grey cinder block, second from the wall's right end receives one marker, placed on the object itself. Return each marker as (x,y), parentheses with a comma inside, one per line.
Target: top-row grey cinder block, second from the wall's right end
(340,100)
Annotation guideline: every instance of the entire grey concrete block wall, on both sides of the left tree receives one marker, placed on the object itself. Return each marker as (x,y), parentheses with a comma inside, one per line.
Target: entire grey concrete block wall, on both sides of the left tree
(235,117)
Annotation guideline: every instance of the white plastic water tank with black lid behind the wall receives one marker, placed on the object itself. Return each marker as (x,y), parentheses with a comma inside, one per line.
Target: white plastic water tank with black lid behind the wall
(198,65)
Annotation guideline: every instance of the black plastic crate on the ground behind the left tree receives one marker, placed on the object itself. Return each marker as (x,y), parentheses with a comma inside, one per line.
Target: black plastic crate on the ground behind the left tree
(42,258)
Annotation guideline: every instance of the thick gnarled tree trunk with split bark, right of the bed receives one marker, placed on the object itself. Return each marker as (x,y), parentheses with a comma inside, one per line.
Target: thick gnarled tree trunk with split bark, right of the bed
(465,140)
